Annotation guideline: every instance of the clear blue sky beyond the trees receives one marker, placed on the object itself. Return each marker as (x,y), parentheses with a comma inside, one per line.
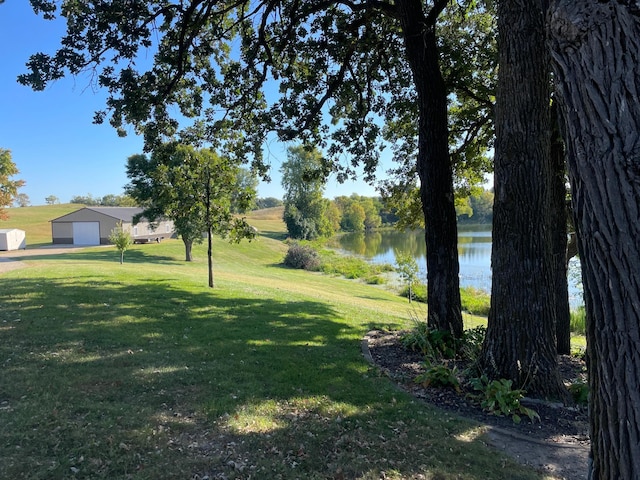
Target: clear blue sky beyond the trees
(53,142)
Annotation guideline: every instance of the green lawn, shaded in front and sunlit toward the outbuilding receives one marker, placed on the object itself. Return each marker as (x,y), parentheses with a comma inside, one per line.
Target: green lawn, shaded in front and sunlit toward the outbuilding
(140,371)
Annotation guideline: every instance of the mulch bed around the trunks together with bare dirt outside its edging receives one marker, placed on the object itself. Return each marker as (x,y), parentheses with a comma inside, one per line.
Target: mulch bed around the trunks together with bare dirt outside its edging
(557,444)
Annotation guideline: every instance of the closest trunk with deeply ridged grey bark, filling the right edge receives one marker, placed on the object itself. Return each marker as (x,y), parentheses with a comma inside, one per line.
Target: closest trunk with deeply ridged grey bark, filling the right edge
(596,51)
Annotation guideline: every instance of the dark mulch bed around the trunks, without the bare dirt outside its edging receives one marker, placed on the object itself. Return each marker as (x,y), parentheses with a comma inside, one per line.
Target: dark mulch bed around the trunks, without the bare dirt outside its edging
(557,424)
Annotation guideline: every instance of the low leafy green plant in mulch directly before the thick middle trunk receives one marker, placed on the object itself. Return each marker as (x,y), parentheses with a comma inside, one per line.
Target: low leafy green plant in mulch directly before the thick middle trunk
(500,398)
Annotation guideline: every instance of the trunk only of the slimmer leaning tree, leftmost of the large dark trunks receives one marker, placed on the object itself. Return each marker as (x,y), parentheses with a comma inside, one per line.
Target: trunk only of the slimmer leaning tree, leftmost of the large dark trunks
(434,169)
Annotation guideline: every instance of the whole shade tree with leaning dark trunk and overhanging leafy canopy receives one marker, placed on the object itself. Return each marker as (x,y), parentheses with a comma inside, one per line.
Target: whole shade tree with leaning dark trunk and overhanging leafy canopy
(355,62)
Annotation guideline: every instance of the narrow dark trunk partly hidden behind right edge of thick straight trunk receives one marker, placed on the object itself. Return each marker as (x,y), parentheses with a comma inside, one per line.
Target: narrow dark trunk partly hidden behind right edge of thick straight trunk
(558,219)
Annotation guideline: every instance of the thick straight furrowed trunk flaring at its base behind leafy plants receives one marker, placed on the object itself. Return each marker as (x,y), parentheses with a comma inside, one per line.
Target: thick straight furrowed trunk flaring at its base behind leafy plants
(521,344)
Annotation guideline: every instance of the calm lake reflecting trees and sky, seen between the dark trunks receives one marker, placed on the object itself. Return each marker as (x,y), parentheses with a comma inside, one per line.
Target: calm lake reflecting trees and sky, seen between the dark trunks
(474,254)
